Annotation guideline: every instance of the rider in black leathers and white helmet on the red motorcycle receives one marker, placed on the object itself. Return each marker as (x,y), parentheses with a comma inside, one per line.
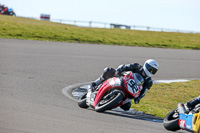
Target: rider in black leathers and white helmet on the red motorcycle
(149,69)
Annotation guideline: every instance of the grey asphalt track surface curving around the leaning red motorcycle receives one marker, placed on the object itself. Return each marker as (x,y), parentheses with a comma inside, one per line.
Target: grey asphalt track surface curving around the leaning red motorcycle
(33,74)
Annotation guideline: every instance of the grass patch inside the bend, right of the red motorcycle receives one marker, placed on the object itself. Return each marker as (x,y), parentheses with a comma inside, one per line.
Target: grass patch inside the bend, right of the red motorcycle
(162,98)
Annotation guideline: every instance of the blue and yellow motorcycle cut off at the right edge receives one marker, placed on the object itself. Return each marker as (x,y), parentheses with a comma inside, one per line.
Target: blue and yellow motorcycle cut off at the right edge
(183,118)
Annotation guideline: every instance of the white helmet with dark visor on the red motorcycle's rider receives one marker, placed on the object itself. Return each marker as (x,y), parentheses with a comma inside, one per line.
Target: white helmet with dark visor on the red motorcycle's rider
(150,67)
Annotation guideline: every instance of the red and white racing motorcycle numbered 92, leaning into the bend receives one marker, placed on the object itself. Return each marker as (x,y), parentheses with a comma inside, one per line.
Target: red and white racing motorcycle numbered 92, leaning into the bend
(113,93)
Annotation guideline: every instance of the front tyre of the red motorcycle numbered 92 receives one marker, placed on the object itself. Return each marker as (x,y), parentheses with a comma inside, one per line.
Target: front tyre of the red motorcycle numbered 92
(106,104)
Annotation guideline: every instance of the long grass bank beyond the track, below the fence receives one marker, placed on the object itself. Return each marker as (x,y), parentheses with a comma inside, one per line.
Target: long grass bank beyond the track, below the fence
(23,28)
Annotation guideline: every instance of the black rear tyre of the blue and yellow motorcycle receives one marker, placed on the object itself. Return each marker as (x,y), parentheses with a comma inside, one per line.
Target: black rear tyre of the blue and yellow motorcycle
(171,121)
